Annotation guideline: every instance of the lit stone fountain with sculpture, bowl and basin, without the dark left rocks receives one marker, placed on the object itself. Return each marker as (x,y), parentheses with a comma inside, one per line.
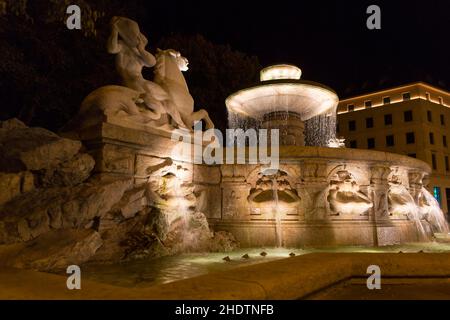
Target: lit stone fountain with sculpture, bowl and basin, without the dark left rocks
(319,196)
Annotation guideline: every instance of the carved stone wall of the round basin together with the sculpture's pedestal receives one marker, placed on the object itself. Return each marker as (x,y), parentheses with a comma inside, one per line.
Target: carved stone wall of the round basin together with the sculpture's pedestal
(320,196)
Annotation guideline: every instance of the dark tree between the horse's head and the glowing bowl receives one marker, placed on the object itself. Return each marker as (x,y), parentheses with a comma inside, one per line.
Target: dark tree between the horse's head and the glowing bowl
(215,71)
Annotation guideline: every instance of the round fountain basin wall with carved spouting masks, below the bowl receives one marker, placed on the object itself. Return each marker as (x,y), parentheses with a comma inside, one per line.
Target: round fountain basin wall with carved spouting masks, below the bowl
(331,184)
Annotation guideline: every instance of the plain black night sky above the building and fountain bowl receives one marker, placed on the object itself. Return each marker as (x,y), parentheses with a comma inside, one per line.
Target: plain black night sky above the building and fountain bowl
(328,40)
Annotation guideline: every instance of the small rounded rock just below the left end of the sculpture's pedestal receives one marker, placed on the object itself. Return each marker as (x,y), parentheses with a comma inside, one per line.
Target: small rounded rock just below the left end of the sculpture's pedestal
(68,173)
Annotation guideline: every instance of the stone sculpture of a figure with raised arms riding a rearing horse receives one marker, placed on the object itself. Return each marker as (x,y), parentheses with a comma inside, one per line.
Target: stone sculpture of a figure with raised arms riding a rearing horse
(163,103)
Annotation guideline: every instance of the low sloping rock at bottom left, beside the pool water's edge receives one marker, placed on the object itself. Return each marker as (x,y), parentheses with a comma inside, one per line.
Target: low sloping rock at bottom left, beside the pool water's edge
(55,250)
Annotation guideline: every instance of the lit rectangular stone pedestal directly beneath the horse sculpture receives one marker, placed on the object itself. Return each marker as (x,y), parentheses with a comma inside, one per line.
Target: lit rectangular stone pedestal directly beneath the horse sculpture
(138,154)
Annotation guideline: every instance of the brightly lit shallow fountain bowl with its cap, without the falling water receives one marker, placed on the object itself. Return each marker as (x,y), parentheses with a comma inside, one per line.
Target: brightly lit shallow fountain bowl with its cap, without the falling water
(282,90)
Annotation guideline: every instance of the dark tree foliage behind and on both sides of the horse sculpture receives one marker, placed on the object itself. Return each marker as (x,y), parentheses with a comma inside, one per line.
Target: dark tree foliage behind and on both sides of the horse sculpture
(47,70)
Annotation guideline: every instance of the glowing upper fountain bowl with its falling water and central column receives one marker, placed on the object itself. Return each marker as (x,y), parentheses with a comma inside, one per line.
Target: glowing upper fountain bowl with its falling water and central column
(286,103)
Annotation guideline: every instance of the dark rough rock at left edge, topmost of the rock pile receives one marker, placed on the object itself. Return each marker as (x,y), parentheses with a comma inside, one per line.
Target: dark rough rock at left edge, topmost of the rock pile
(25,149)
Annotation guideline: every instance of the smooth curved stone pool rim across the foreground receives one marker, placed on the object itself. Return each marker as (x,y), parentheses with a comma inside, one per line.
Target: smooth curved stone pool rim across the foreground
(292,278)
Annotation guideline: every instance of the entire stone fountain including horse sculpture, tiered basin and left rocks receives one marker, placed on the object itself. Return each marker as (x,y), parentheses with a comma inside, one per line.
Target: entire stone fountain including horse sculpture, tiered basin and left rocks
(113,189)
